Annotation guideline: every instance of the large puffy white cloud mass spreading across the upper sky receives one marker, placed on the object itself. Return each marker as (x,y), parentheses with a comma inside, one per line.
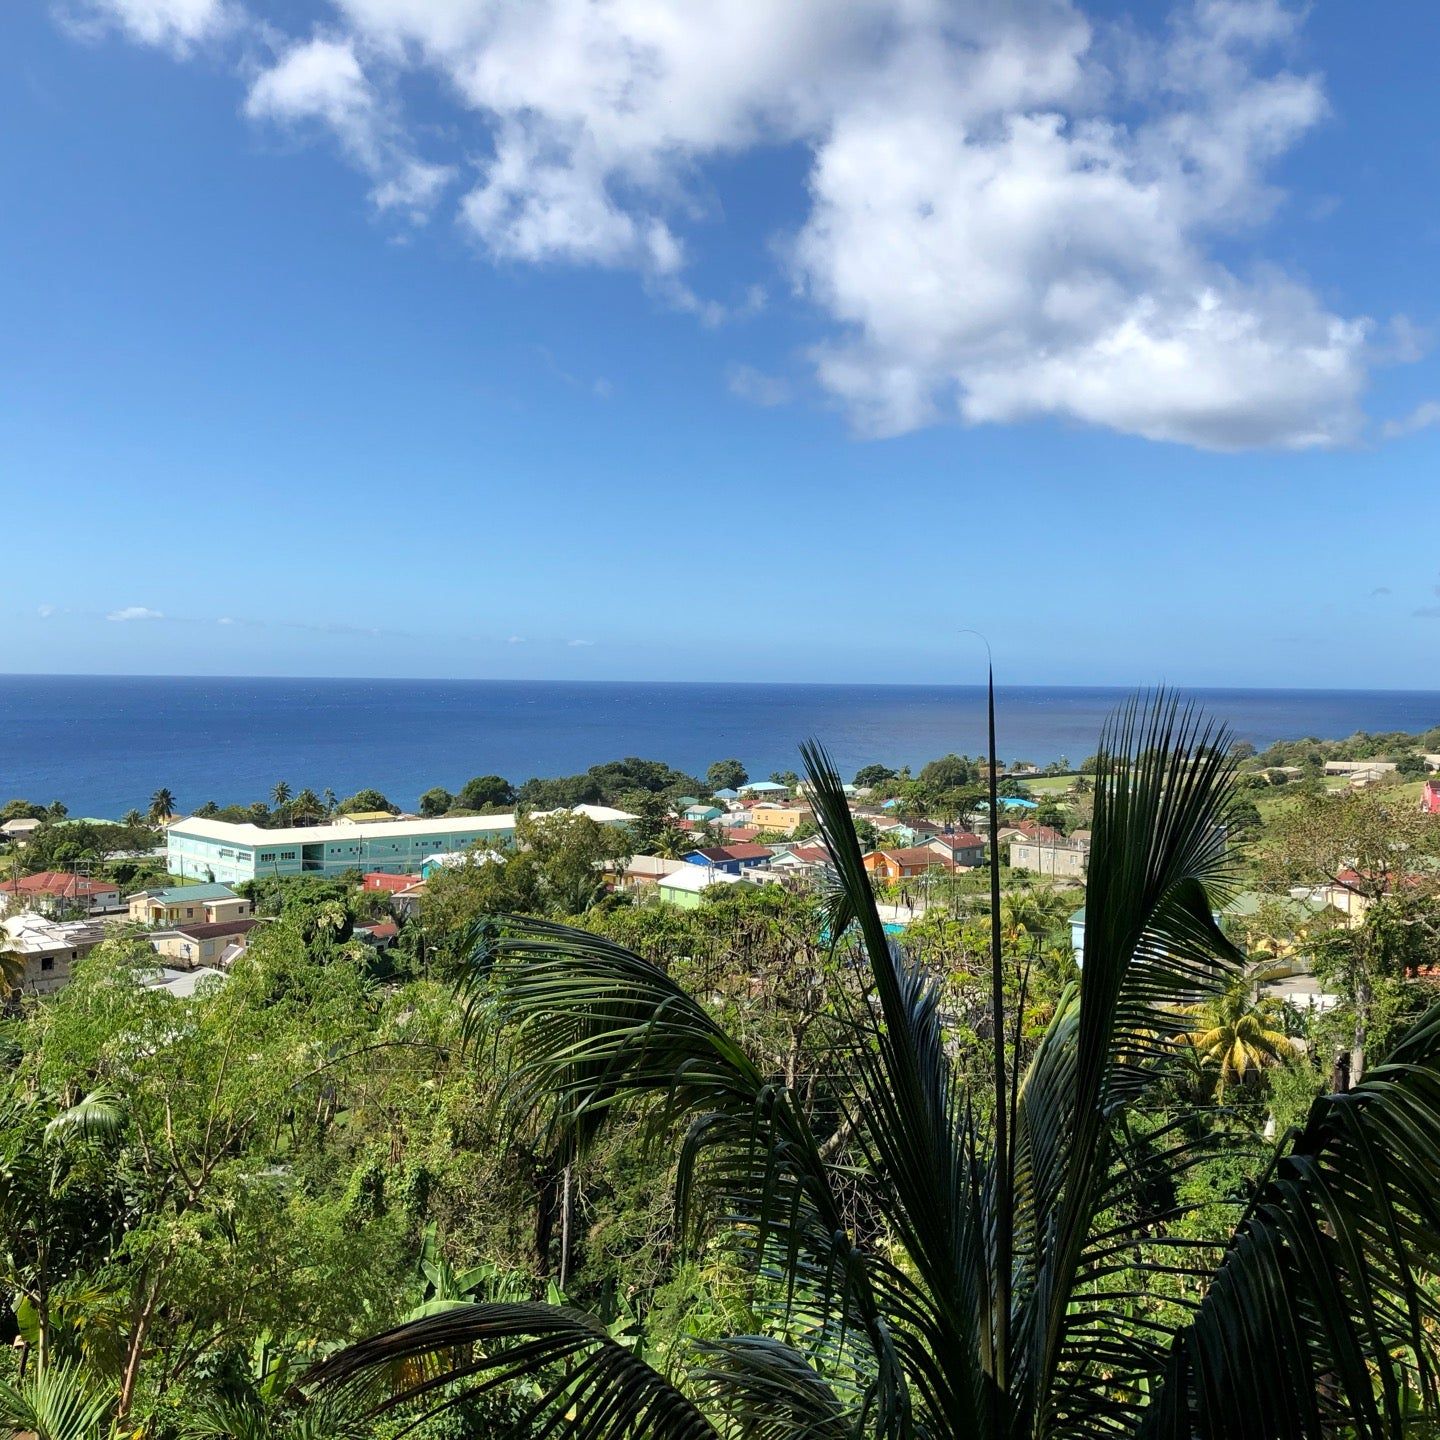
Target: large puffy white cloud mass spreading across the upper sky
(1014,211)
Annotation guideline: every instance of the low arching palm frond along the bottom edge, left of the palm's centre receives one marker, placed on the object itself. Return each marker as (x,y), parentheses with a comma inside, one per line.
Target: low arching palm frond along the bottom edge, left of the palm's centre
(577,1379)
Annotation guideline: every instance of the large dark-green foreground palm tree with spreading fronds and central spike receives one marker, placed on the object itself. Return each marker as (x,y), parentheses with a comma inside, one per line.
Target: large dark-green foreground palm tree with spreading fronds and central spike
(993,1261)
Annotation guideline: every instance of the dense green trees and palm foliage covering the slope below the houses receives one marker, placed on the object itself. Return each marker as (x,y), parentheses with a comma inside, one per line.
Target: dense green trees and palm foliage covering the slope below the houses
(485,1120)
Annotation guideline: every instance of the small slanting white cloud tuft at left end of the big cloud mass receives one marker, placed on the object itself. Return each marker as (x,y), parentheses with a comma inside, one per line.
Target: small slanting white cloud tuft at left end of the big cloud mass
(322,80)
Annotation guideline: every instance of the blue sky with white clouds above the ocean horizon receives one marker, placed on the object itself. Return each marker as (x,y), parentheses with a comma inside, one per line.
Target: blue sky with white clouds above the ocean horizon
(447,338)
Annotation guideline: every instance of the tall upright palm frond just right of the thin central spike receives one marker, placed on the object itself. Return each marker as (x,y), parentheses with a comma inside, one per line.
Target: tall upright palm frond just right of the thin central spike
(1158,869)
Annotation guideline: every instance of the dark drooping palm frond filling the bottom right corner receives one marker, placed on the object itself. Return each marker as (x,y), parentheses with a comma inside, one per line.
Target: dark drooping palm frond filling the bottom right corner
(1323,1313)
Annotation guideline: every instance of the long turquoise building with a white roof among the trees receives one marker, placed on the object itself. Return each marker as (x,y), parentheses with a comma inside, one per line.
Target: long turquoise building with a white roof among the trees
(212,850)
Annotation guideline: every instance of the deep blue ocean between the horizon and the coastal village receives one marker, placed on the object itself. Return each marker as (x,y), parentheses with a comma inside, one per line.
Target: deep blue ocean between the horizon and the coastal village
(104,745)
